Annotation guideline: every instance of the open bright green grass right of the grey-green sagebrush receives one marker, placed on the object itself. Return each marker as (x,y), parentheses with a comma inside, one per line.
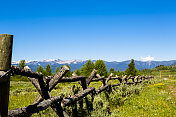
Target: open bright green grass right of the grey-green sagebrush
(154,100)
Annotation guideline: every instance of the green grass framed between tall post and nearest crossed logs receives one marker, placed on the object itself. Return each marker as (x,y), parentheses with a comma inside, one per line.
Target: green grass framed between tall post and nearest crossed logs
(21,94)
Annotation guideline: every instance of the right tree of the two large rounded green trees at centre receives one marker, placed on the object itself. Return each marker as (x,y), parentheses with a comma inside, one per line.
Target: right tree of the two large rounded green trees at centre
(101,68)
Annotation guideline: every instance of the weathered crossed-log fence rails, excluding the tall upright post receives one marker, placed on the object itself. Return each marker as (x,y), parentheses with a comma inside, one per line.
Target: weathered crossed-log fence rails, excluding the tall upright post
(57,103)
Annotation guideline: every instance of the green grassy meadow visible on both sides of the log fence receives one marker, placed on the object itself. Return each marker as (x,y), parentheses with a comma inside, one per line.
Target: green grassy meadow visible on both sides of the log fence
(150,99)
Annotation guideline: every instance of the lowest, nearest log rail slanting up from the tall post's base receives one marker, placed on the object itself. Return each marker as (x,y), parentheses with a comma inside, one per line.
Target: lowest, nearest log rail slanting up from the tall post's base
(35,108)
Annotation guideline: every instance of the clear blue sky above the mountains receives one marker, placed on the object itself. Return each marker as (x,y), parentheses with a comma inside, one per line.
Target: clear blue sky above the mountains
(112,30)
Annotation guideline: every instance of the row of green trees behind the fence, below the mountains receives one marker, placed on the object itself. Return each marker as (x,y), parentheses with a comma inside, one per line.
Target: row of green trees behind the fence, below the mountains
(87,68)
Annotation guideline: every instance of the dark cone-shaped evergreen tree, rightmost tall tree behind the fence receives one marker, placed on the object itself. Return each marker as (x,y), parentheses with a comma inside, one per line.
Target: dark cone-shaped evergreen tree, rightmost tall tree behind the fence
(131,70)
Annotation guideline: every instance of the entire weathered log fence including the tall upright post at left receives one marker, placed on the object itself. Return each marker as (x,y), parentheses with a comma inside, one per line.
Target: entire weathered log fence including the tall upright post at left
(45,85)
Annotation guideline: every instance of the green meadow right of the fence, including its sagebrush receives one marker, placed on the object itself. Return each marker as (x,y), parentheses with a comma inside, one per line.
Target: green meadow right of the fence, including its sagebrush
(154,100)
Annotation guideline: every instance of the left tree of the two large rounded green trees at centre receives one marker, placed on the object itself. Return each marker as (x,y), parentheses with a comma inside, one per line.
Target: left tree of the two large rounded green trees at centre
(87,68)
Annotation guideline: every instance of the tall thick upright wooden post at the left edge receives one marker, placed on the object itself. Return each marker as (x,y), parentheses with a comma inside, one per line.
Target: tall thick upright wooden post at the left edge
(6,41)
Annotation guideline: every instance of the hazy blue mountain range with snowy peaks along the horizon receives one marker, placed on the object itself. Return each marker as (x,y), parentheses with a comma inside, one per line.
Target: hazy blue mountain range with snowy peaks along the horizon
(77,64)
